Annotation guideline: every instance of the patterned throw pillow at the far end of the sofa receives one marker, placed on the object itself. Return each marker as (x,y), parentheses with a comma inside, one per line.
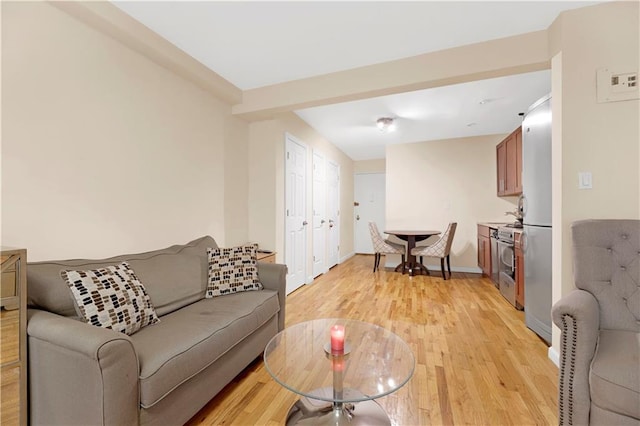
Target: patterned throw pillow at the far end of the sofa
(232,270)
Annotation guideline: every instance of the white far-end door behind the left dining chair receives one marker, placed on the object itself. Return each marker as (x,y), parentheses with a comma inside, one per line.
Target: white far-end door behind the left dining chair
(369,193)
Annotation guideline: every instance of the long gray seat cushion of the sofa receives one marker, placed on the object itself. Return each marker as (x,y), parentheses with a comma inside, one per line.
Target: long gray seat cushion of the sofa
(188,340)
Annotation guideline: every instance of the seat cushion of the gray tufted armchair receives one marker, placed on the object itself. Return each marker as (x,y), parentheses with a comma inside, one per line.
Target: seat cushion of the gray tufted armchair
(615,377)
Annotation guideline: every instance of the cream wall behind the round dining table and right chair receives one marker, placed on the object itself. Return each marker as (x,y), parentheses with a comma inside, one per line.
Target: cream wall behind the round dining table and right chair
(430,184)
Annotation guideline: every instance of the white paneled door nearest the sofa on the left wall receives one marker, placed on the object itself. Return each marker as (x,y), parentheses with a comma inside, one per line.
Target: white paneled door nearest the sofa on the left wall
(296,223)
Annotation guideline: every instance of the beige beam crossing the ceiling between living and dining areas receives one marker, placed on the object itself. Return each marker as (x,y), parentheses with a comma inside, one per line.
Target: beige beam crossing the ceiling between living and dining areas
(496,58)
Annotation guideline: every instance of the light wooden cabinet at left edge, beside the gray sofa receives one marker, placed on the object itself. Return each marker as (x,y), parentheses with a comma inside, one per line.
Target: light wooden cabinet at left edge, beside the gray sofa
(13,337)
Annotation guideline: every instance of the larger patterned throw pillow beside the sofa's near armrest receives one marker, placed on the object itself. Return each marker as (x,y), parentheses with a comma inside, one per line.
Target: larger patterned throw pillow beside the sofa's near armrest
(111,297)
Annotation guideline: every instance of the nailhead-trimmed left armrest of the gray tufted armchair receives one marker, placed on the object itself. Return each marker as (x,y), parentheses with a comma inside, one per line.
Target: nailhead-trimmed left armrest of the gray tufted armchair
(578,317)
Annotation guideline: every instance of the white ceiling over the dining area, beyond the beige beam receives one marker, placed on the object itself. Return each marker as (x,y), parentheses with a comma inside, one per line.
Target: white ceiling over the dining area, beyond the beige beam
(469,109)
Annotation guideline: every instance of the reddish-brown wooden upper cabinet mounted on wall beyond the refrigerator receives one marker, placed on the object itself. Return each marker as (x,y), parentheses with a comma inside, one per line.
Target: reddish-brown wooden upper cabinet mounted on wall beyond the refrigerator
(509,162)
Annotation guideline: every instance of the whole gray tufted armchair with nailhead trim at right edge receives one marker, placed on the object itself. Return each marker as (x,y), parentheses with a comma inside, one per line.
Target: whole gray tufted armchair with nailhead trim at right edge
(599,382)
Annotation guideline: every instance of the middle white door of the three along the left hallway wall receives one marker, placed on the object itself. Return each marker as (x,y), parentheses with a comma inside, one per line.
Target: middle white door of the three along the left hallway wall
(319,214)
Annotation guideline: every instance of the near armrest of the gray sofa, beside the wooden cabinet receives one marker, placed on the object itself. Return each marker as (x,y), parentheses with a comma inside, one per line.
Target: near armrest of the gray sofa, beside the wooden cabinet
(79,373)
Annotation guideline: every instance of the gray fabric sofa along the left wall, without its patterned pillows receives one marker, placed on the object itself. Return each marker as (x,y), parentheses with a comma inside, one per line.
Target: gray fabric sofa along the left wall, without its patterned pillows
(165,373)
